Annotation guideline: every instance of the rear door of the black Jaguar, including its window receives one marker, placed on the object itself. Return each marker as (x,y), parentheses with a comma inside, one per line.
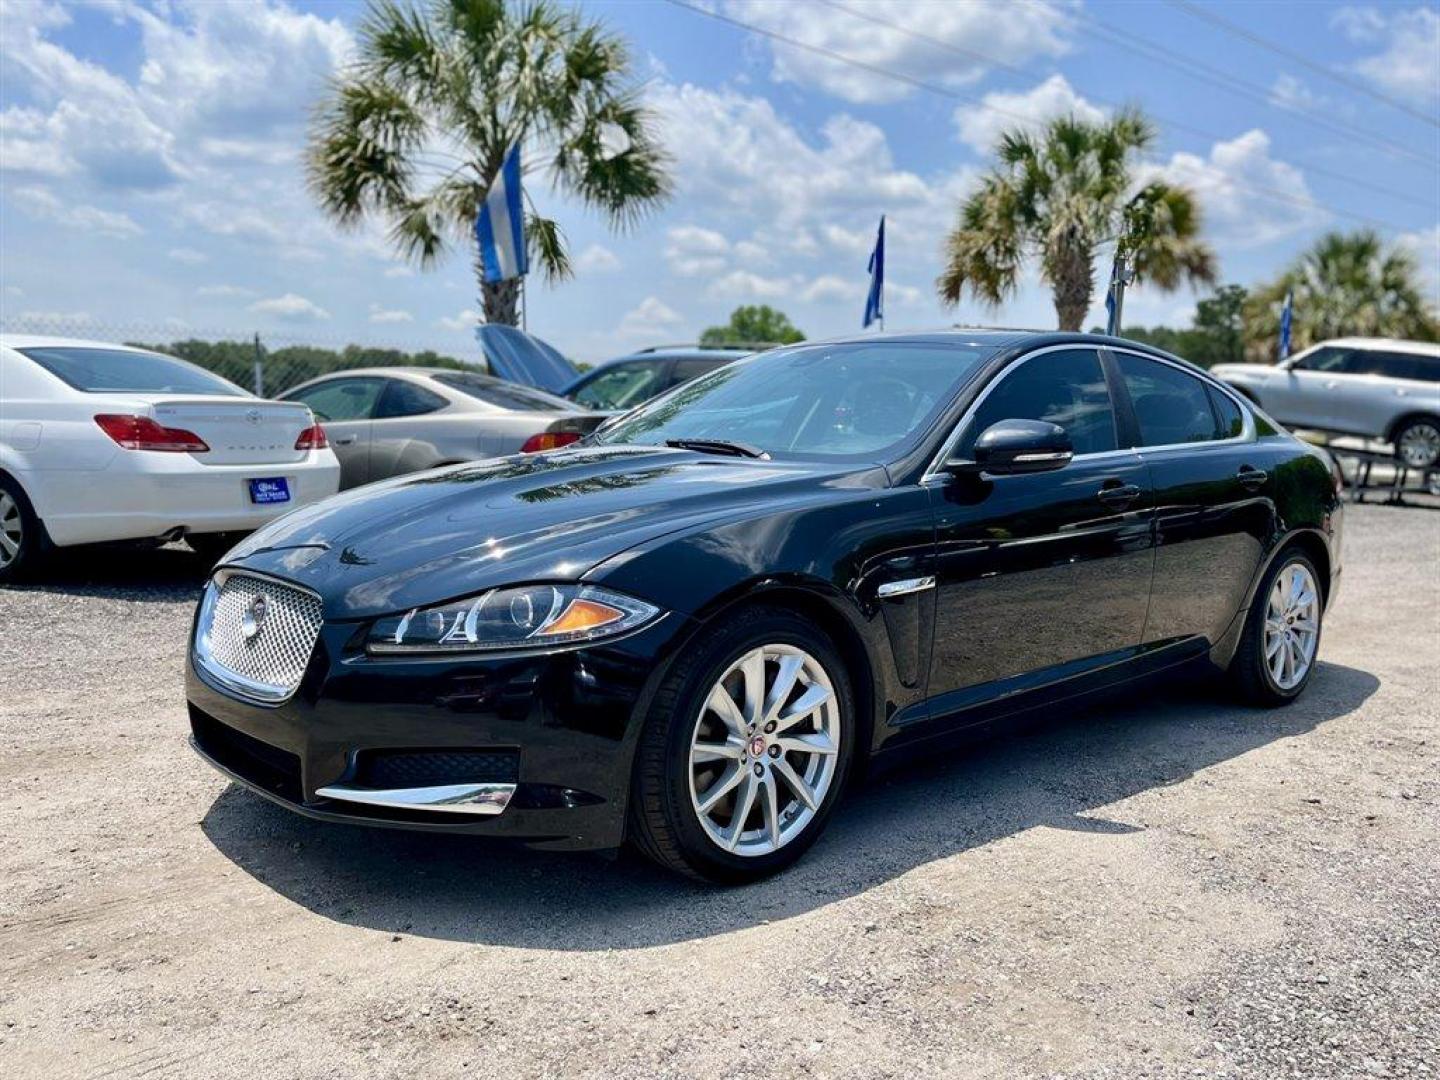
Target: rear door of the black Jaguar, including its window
(1213,489)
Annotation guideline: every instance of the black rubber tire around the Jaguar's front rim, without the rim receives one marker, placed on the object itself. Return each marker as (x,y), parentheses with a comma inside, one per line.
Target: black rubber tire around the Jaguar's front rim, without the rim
(665,824)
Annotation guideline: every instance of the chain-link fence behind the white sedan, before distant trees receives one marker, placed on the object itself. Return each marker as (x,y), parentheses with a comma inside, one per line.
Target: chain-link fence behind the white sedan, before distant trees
(266,362)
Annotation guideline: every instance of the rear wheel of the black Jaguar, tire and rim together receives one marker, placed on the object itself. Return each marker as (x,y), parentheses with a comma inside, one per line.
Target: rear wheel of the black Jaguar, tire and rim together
(1277,656)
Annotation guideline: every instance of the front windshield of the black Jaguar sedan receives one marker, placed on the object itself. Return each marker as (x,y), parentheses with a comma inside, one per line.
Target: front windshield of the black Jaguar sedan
(849,401)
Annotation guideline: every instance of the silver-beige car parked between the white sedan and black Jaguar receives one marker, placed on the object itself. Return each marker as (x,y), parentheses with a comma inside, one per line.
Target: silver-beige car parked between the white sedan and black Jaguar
(387,421)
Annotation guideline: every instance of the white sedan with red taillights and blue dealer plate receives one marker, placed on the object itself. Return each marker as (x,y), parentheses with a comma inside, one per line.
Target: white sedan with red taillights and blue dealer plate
(103,443)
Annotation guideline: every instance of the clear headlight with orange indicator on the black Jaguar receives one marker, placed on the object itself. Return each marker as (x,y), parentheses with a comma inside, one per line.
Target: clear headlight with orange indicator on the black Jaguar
(525,617)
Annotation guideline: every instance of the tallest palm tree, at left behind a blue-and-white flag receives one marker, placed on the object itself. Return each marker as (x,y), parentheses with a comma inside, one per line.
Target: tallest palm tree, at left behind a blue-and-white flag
(415,130)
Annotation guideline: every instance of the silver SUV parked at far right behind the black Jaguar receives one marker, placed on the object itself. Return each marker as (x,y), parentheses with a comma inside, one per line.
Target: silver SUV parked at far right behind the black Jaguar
(1372,387)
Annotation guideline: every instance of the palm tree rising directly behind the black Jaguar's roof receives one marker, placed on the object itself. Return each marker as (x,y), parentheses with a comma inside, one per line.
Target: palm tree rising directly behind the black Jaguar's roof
(1062,195)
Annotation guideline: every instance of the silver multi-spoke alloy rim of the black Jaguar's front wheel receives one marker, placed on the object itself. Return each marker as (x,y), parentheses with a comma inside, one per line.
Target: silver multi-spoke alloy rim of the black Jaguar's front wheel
(764,751)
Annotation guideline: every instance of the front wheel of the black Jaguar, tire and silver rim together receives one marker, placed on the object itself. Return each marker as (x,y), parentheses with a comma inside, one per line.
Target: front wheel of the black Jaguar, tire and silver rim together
(745,751)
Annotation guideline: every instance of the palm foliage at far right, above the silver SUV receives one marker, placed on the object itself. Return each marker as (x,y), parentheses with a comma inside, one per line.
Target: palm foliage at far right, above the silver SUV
(1346,286)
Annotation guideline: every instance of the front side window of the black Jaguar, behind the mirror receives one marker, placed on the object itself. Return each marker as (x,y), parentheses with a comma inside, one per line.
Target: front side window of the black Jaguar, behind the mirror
(1066,388)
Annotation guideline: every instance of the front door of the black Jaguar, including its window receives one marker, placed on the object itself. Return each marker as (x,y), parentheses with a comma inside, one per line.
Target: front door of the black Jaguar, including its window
(1045,575)
